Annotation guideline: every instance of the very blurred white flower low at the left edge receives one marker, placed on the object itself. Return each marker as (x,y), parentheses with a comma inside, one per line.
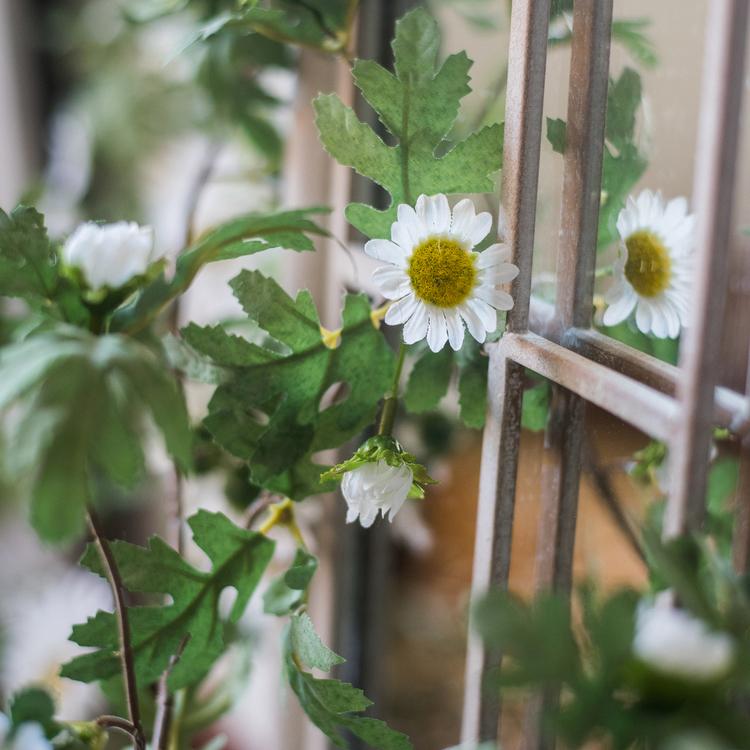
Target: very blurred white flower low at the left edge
(36,624)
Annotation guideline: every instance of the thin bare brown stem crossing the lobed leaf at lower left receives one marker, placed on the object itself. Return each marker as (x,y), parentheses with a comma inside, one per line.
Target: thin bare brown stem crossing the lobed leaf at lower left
(123,629)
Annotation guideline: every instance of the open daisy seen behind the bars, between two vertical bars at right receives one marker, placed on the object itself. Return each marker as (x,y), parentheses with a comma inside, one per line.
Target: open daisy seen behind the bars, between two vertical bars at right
(654,269)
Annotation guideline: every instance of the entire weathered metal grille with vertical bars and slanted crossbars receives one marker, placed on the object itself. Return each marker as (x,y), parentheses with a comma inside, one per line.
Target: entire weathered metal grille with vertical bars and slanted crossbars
(678,405)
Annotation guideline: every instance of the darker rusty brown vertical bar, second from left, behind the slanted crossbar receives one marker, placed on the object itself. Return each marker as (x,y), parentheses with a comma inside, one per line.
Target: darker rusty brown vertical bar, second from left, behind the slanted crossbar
(576,260)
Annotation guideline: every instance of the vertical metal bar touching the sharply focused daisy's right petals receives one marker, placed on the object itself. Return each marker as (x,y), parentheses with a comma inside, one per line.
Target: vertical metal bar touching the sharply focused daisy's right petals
(523,132)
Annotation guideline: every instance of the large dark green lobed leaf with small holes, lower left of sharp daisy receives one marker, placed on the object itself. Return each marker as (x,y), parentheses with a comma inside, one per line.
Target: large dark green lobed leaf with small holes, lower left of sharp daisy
(267,408)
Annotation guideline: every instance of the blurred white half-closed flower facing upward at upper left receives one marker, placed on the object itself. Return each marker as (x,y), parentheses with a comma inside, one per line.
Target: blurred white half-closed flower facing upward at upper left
(110,255)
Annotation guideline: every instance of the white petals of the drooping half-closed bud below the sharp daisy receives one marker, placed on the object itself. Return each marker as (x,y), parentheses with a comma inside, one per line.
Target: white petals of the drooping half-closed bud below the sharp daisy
(375,488)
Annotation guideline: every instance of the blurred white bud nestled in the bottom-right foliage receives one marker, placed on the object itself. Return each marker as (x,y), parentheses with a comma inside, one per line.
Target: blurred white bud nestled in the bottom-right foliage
(673,642)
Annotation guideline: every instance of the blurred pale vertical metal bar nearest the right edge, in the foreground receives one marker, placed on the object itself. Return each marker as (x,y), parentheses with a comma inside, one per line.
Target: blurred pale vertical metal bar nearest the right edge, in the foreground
(713,192)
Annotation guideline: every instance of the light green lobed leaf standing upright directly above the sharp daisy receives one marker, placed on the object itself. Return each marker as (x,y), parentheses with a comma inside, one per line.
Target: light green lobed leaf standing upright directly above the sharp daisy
(418,105)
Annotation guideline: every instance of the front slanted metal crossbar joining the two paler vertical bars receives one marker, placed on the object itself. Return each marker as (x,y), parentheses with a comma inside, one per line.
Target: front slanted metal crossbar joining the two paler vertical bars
(644,408)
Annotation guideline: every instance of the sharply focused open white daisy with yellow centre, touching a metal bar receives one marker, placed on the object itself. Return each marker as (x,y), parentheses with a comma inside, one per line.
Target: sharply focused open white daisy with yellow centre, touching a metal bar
(438,284)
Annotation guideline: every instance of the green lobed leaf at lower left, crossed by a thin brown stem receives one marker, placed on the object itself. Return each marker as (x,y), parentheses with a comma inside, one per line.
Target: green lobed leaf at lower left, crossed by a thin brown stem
(192,619)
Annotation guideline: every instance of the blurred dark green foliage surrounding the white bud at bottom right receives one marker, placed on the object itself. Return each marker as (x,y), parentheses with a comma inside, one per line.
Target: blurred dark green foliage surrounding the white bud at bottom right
(608,693)
